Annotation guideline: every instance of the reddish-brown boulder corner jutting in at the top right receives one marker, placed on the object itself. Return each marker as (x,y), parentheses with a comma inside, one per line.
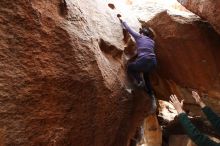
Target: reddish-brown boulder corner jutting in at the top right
(207,9)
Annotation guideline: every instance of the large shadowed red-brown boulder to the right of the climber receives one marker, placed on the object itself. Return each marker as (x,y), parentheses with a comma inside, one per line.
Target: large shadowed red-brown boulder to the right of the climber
(188,57)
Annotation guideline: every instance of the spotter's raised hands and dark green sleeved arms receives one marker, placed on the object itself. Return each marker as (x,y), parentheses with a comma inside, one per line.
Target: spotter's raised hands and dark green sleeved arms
(196,136)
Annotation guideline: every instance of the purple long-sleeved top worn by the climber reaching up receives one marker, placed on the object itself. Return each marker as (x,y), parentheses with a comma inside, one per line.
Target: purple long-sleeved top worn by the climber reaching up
(144,44)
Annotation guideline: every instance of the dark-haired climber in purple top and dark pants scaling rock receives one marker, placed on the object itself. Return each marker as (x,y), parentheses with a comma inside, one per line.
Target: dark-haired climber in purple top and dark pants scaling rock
(146,59)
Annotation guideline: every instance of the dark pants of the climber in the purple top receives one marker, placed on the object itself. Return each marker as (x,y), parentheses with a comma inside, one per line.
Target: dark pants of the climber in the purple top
(142,65)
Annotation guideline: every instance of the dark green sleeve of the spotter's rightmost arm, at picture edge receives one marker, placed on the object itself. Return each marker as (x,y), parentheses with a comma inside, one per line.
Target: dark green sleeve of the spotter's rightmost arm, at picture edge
(212,117)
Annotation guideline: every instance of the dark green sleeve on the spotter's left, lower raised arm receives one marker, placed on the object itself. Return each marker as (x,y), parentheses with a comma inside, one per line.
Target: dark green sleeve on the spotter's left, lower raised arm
(196,136)
